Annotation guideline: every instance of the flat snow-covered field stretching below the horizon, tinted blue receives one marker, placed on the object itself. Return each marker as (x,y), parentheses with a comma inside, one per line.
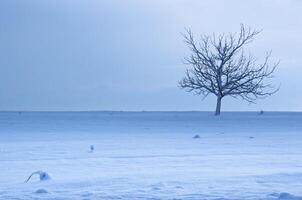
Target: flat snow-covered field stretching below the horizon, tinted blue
(151,155)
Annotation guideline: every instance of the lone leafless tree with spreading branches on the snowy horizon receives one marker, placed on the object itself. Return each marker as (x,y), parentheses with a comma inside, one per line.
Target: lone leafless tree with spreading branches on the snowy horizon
(220,66)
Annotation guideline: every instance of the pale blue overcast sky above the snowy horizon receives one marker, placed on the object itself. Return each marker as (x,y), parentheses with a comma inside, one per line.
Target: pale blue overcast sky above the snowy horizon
(128,54)
